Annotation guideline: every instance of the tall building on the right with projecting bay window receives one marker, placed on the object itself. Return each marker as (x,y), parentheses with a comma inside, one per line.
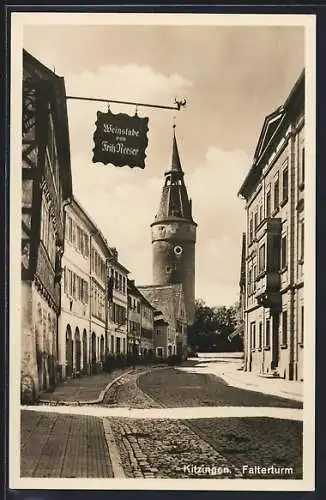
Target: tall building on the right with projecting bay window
(274,195)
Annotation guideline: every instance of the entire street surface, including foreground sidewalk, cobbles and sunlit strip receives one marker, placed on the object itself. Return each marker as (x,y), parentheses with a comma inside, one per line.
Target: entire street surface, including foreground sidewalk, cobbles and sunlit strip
(163,422)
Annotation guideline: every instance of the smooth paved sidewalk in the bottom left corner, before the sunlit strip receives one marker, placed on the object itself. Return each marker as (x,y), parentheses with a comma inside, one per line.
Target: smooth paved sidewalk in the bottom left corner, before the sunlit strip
(65,446)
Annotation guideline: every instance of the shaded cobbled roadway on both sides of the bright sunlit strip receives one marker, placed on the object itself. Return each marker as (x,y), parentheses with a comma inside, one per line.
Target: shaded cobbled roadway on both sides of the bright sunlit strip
(163,448)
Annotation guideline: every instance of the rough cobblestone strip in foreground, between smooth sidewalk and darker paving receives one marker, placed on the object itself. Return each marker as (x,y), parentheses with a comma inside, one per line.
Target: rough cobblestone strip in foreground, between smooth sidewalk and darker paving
(167,449)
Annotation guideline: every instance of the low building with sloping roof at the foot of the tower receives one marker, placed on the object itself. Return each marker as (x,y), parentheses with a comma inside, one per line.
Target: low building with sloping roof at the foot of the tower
(170,319)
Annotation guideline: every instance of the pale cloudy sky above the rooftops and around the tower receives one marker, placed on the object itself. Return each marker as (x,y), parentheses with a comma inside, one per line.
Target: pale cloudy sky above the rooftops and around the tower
(231,77)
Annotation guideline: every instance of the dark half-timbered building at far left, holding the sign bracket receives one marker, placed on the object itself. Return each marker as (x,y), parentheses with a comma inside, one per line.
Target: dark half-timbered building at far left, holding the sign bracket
(46,184)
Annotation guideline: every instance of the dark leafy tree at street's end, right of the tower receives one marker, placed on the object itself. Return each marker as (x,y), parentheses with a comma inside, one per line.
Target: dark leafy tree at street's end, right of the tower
(212,327)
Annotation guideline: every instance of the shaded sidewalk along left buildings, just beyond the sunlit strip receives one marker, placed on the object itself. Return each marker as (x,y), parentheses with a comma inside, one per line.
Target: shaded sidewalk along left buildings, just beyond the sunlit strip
(84,389)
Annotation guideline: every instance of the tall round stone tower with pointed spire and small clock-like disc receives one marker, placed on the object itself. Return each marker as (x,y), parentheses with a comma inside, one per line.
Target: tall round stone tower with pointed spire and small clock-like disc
(174,235)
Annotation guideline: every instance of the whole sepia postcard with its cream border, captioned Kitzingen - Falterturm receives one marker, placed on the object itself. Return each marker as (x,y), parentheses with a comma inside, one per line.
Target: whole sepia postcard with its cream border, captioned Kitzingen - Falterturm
(162,202)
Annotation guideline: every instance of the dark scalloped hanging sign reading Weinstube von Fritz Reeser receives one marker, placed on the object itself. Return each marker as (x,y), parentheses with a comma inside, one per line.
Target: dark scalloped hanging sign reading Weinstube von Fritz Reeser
(120,139)
